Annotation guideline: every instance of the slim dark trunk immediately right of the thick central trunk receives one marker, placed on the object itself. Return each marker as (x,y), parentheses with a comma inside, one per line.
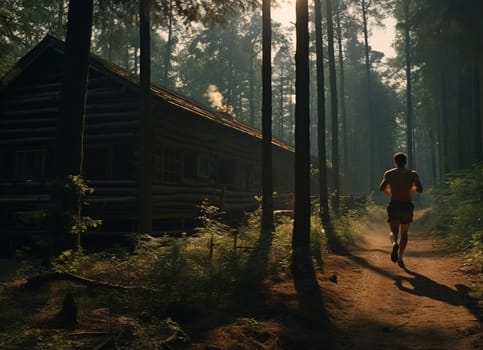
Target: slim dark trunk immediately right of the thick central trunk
(321,139)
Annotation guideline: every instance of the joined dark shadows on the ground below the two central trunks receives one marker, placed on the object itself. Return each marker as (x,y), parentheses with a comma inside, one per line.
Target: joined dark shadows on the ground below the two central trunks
(305,324)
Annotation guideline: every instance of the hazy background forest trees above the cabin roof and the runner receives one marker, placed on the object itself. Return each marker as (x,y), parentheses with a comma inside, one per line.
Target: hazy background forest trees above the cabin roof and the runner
(442,57)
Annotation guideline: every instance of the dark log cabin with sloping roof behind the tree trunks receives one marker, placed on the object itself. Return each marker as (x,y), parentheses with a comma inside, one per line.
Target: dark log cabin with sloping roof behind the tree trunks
(198,152)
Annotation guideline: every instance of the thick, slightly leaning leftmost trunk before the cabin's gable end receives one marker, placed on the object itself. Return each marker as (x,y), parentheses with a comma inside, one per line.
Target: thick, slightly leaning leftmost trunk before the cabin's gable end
(71,121)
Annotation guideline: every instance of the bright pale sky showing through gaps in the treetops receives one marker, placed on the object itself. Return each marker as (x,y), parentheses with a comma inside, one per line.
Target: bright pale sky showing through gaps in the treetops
(380,40)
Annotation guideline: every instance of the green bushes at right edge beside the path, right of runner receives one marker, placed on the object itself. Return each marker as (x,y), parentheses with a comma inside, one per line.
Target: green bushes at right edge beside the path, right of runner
(457,209)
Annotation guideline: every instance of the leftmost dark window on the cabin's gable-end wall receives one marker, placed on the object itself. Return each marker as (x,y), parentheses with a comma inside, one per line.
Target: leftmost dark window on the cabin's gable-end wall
(29,164)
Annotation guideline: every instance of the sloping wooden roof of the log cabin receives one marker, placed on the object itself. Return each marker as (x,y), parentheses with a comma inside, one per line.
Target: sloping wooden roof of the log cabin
(50,44)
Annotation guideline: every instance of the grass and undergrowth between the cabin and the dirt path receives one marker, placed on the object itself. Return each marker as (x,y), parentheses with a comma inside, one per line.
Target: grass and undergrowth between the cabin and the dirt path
(194,277)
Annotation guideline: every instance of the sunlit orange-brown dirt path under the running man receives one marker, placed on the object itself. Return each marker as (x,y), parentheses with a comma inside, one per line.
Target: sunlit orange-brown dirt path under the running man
(377,305)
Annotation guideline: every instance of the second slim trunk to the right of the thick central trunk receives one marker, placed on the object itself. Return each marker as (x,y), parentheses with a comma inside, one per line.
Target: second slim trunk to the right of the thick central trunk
(334,109)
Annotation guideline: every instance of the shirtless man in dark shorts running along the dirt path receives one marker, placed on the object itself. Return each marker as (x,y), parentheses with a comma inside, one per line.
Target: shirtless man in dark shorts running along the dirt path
(398,183)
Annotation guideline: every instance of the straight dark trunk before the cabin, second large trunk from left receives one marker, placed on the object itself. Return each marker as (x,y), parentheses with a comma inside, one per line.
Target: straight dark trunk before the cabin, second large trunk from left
(145,179)
